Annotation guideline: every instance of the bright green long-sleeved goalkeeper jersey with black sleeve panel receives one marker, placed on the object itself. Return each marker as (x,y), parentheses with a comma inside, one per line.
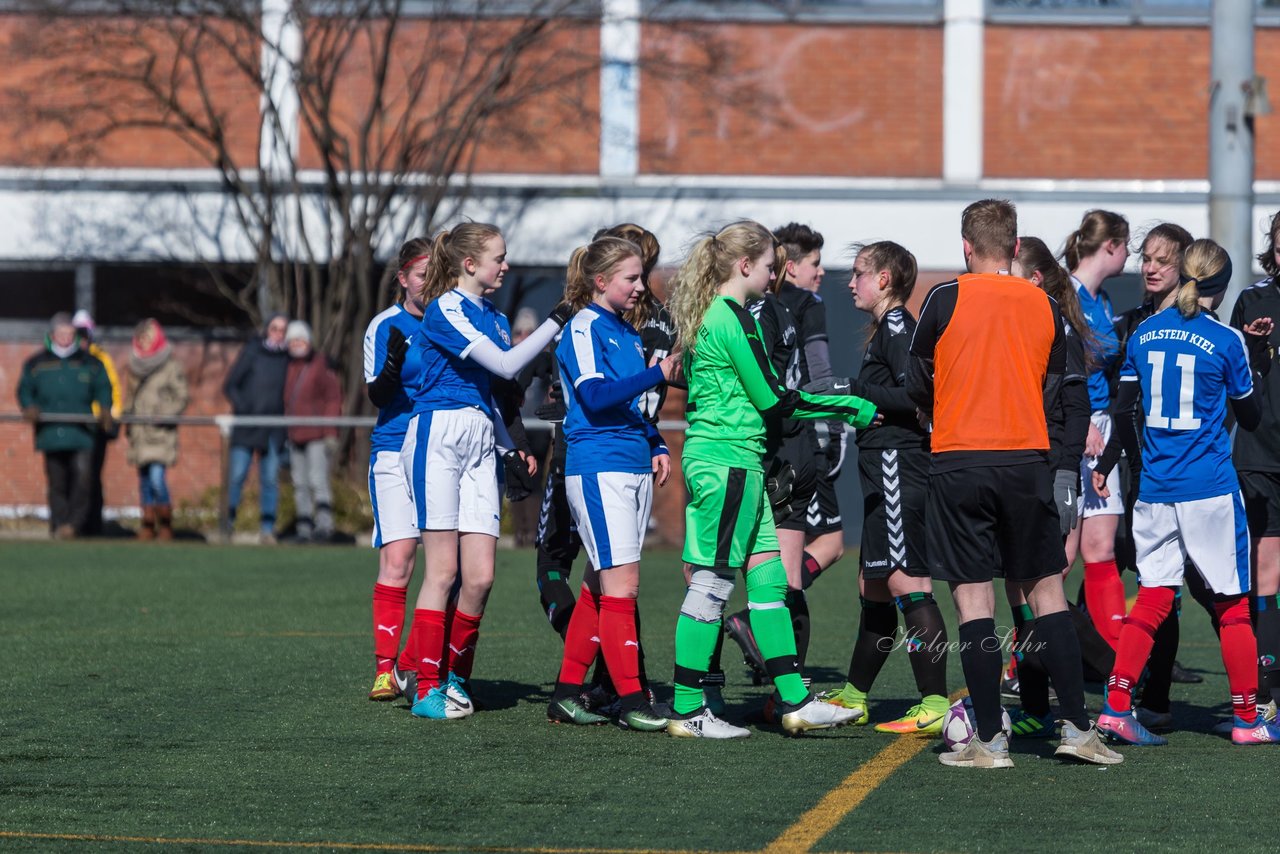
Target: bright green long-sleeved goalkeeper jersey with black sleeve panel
(733,389)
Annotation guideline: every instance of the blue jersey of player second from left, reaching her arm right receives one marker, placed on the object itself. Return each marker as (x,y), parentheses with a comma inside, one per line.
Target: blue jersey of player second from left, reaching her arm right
(451,330)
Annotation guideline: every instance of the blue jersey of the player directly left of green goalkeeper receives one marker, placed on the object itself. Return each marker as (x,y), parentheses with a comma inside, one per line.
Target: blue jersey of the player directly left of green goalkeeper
(598,346)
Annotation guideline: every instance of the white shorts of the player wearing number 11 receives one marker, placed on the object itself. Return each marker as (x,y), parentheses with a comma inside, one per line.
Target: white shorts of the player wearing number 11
(1212,532)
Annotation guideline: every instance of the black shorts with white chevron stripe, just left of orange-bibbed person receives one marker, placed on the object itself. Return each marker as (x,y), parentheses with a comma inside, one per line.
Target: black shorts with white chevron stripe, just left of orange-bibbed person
(895,487)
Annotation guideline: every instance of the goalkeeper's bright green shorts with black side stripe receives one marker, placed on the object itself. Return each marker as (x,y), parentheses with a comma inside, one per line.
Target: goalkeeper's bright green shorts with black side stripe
(729,517)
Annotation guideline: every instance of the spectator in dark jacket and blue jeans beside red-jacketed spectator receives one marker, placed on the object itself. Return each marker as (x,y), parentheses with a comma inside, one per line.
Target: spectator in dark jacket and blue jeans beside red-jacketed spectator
(255,386)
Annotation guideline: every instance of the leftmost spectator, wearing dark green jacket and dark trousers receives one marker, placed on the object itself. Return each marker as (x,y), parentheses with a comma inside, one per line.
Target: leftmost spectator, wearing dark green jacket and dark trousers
(66,380)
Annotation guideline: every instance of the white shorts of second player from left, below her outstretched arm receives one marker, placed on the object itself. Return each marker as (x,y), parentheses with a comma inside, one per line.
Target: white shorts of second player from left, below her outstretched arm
(454,472)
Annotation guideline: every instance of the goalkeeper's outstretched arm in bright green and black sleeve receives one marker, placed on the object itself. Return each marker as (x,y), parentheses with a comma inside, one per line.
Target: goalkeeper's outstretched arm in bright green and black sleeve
(770,396)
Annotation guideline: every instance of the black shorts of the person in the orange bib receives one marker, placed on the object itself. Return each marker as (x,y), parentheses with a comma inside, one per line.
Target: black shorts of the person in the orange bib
(993,520)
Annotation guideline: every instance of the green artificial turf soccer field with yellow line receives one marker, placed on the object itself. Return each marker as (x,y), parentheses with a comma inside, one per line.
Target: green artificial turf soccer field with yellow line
(205,698)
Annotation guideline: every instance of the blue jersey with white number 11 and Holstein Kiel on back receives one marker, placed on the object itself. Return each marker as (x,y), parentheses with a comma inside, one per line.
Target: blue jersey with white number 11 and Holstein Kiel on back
(1187,369)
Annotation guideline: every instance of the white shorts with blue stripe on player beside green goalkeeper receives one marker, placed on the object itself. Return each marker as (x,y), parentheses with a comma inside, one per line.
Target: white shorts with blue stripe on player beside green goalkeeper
(612,514)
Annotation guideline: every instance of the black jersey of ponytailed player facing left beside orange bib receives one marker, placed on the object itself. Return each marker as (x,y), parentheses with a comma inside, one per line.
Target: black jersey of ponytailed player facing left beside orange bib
(883,381)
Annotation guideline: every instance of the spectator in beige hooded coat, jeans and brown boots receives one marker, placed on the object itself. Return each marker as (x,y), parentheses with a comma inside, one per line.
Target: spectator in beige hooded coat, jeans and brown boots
(158,387)
